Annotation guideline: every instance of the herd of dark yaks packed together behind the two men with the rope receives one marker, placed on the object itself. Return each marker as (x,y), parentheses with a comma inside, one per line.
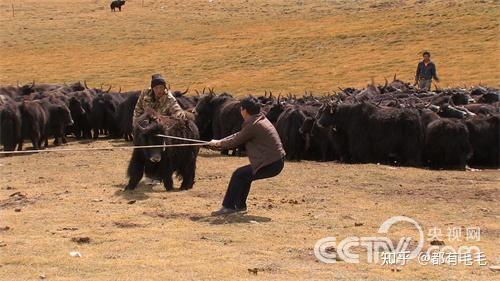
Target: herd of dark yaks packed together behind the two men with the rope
(394,123)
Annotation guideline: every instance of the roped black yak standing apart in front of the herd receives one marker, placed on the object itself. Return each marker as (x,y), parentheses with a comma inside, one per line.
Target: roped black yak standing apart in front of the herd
(161,163)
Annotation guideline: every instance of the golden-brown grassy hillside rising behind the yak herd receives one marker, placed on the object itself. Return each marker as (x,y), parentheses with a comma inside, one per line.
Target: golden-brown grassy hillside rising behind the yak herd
(248,46)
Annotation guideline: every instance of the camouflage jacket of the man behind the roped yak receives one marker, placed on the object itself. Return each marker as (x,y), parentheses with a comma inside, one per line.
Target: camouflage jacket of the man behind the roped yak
(166,105)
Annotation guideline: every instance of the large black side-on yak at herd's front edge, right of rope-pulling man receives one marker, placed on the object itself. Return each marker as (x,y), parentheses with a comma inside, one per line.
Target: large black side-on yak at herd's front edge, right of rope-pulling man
(371,134)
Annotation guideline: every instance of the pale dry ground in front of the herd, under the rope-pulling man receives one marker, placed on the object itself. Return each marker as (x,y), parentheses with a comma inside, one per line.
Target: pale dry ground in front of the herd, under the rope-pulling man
(169,235)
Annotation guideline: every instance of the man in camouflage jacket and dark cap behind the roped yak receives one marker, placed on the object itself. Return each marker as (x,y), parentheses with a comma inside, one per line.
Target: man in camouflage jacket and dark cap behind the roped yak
(158,98)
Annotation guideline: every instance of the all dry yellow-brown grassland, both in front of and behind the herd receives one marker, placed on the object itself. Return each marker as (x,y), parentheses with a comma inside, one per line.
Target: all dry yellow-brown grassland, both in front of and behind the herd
(51,203)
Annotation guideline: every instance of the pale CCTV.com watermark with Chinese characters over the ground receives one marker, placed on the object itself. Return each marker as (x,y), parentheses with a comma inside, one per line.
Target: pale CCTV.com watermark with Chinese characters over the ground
(382,250)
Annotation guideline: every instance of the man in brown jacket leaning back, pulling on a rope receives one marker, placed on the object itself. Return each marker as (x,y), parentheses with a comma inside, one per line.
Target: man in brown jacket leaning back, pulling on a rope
(264,149)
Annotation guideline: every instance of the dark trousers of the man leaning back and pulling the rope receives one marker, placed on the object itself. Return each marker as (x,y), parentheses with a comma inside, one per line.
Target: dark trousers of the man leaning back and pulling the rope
(239,185)
